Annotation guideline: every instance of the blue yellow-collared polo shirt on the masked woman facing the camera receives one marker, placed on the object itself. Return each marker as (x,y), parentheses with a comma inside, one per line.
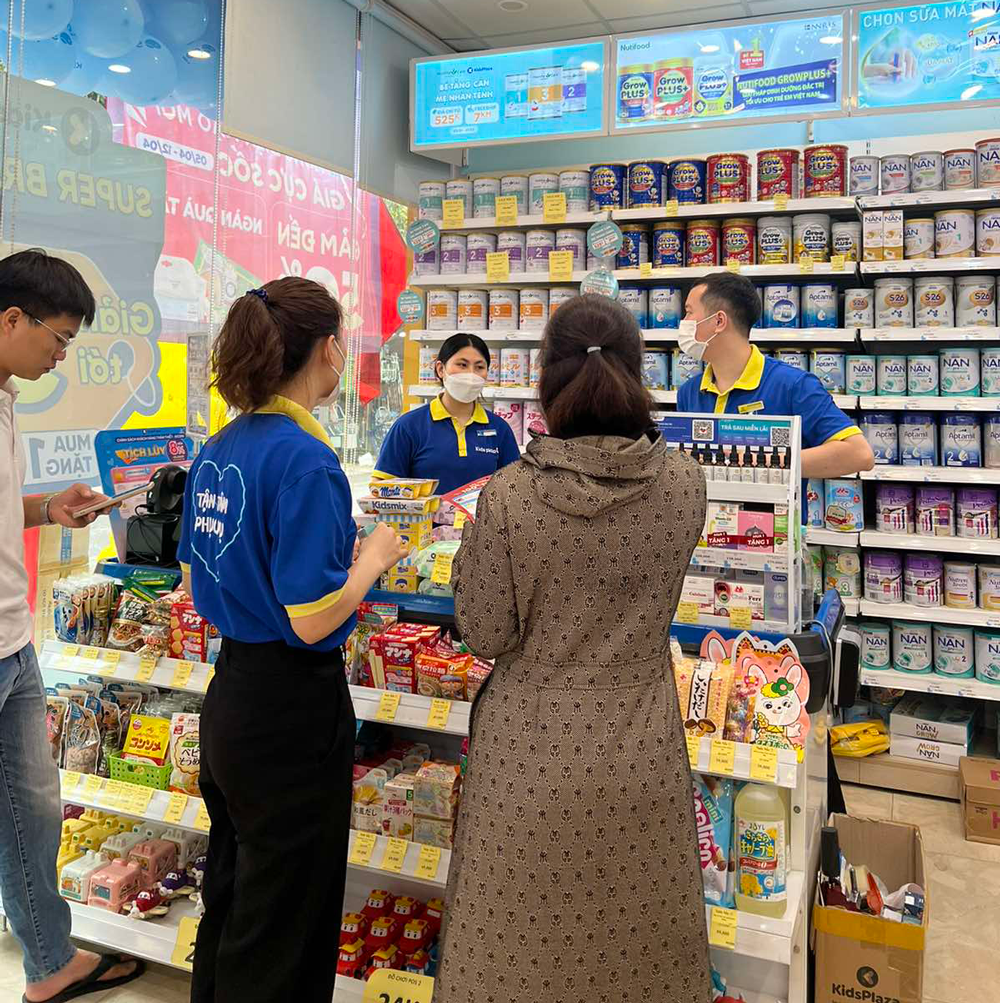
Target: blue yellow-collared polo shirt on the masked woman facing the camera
(430,443)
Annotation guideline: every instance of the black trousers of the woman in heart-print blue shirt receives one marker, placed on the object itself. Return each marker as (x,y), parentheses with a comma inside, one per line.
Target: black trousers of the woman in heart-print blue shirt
(278,735)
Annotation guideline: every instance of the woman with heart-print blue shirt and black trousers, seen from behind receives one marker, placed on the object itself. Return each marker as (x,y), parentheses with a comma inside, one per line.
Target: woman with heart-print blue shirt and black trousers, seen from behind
(268,550)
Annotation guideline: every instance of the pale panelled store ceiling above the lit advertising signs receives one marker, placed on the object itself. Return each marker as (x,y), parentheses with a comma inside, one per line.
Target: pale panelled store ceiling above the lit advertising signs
(491,25)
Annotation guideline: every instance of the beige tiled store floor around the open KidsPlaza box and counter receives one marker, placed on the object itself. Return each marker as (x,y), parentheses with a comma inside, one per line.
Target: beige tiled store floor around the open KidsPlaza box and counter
(965,911)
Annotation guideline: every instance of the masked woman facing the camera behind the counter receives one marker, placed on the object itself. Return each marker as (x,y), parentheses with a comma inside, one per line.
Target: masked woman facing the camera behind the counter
(454,440)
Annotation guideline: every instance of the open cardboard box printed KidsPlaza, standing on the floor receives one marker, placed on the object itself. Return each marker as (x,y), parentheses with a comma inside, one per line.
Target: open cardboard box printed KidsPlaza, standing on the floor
(866,958)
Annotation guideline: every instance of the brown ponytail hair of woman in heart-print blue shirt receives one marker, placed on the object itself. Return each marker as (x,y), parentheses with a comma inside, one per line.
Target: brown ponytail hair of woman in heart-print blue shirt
(268,338)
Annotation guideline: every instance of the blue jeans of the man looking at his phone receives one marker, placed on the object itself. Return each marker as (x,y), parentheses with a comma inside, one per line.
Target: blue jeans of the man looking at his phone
(31,821)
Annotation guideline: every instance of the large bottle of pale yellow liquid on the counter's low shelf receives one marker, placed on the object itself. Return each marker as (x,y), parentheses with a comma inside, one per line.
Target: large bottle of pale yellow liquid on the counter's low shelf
(762,851)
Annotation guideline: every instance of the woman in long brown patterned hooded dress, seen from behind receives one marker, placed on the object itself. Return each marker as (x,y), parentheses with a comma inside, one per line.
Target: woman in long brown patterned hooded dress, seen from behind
(576,871)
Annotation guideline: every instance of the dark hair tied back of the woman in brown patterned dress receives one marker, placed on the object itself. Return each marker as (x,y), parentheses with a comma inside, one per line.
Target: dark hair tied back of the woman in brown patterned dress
(591,381)
